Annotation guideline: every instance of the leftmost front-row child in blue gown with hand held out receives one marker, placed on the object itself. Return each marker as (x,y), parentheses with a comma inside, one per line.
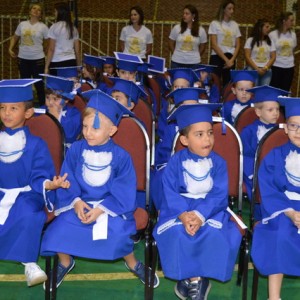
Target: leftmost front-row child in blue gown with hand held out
(26,170)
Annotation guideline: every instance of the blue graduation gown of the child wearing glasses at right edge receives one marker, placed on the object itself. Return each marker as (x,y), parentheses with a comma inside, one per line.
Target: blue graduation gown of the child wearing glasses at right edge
(276,240)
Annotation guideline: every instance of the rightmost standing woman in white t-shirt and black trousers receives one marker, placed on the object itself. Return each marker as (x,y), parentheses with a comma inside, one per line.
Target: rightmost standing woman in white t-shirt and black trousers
(285,42)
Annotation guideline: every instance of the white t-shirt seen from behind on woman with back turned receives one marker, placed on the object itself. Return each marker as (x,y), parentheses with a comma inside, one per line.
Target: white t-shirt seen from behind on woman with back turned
(64,47)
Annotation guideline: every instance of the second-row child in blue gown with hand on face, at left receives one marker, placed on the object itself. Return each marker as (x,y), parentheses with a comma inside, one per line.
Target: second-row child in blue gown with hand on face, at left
(59,91)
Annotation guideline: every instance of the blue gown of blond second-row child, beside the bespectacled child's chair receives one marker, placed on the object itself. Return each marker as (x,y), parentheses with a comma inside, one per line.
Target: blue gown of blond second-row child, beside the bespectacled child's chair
(250,136)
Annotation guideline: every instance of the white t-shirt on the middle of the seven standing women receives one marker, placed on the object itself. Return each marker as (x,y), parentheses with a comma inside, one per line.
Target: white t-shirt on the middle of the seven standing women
(187,46)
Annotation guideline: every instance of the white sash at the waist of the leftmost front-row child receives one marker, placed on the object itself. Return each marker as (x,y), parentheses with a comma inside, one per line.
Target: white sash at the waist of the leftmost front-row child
(8,201)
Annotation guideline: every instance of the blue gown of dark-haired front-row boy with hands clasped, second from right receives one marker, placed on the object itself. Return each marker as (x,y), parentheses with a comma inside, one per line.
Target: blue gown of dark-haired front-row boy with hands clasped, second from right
(194,183)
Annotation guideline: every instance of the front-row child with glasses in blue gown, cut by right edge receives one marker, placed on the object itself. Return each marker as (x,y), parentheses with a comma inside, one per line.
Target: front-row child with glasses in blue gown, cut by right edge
(276,240)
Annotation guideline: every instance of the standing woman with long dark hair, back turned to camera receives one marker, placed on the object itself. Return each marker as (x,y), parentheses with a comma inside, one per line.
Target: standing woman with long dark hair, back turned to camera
(63,36)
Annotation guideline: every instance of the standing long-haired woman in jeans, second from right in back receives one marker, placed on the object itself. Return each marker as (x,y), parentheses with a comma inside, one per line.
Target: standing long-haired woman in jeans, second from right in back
(260,52)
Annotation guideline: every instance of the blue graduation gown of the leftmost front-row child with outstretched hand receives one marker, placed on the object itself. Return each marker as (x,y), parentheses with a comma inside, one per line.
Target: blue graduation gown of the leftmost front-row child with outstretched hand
(20,233)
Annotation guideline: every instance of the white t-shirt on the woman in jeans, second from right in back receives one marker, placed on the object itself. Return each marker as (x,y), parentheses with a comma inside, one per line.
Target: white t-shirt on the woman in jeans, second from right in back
(261,54)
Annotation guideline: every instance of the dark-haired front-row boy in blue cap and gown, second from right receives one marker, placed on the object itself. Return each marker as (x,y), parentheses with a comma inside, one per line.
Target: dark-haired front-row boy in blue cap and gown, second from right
(194,234)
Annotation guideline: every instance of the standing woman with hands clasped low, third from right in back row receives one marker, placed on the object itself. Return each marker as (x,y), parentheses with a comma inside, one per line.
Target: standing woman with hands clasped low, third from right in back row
(225,41)
